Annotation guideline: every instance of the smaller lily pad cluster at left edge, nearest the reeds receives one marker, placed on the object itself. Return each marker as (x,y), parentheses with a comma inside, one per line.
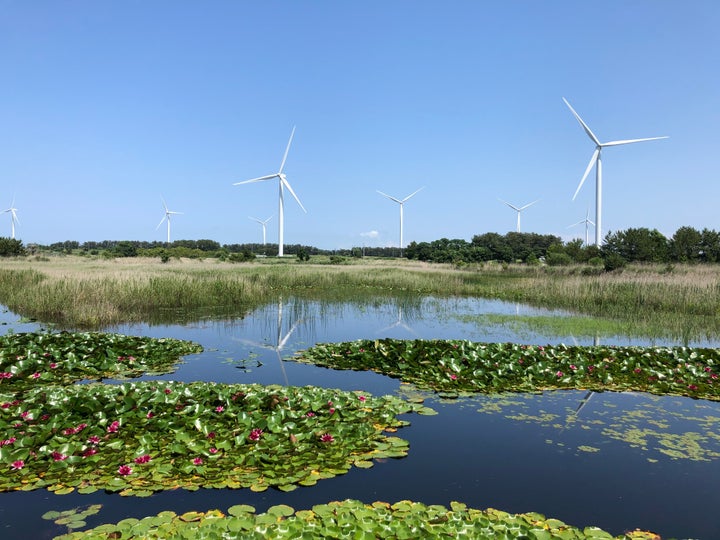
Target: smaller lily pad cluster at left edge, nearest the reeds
(33,359)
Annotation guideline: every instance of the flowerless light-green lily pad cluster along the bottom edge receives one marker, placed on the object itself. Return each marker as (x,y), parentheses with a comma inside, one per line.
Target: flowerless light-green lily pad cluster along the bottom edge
(351,519)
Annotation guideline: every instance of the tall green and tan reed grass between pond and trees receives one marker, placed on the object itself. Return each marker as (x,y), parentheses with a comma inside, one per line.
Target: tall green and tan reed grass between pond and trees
(83,292)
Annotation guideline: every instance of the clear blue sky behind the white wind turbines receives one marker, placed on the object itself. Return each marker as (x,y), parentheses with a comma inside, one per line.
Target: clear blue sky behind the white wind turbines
(107,106)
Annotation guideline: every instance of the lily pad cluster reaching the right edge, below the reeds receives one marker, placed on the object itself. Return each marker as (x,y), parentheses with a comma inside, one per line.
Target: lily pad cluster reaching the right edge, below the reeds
(455,367)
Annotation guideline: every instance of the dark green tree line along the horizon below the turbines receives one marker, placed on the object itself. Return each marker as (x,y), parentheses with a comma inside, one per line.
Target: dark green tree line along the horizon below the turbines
(687,245)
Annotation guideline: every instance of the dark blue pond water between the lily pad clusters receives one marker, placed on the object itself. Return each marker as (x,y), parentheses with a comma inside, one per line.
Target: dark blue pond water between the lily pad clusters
(616,461)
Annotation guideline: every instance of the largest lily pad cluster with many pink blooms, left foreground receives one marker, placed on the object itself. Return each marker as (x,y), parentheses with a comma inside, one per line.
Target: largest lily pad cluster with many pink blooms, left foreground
(139,438)
